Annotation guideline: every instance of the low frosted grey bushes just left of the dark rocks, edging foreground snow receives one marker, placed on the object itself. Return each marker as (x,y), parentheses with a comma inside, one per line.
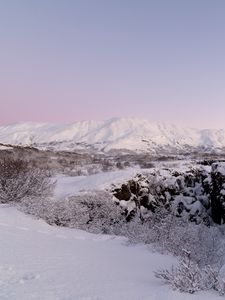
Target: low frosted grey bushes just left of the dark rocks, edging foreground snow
(93,211)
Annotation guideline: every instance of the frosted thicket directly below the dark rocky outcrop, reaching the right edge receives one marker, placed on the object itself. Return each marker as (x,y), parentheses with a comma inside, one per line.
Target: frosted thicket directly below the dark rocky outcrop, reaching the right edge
(169,234)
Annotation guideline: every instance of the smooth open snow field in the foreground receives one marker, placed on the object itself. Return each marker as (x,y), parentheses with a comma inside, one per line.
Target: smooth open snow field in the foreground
(39,261)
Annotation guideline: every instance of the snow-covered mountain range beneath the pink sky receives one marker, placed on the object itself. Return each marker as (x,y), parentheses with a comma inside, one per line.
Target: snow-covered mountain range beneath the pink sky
(118,133)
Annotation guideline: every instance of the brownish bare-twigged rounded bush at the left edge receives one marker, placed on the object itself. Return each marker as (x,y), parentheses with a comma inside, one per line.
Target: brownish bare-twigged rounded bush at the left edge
(20,179)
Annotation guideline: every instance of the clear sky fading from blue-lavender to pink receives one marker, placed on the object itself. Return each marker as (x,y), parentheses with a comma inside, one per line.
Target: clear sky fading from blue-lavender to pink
(71,60)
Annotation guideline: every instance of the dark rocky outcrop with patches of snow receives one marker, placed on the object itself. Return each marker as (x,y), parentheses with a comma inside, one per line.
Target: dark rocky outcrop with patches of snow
(197,194)
